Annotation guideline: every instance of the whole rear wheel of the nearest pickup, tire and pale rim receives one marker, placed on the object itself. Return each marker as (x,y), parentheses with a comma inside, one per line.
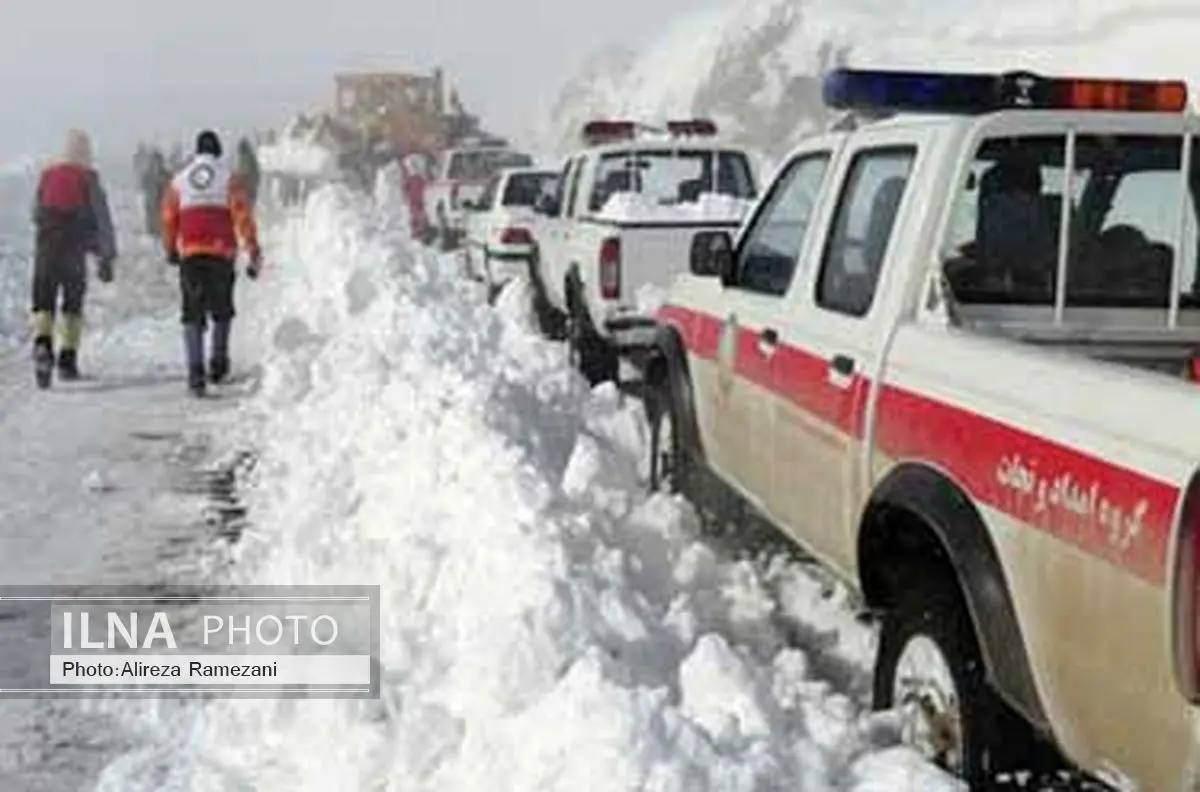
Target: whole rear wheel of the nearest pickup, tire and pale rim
(931,670)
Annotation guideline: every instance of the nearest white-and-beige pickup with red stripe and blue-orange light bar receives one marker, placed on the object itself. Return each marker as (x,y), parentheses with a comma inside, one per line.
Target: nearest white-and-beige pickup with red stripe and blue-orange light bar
(949,356)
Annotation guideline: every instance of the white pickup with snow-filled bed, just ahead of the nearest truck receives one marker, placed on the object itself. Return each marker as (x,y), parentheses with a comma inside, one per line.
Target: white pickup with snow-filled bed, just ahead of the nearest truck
(622,220)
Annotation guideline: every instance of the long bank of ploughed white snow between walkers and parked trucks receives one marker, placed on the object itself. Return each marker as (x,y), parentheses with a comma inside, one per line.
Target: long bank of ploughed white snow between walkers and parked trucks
(544,626)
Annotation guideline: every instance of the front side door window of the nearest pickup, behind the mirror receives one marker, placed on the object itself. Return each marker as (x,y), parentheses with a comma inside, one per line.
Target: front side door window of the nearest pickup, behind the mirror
(775,243)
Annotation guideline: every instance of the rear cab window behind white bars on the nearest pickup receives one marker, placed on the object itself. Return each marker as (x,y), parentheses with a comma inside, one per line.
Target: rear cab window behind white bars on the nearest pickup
(1127,202)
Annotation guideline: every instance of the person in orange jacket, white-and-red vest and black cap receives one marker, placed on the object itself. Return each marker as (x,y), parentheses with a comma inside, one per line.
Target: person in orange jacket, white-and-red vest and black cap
(206,213)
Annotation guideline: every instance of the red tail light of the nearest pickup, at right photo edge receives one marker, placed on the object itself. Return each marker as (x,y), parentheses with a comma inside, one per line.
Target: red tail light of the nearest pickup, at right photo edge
(1186,592)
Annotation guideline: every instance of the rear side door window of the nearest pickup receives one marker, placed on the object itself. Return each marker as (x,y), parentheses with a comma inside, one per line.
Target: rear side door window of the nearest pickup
(862,230)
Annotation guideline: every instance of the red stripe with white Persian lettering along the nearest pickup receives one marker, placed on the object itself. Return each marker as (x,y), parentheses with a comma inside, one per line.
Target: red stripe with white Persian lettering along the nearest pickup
(1107,511)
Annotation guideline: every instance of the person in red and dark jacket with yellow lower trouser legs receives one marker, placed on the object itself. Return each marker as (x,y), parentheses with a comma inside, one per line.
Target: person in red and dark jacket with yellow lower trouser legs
(71,220)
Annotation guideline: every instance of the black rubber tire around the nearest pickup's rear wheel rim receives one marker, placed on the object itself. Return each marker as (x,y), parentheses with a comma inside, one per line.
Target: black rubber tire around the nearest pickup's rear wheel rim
(932,608)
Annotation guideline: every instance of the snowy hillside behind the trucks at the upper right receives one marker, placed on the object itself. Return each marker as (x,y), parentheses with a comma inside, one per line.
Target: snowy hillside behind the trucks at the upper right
(753,64)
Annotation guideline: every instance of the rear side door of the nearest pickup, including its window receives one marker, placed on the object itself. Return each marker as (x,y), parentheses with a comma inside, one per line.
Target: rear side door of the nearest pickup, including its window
(831,341)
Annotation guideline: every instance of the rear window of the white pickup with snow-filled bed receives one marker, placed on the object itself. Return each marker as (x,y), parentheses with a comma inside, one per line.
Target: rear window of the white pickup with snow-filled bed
(673,177)
